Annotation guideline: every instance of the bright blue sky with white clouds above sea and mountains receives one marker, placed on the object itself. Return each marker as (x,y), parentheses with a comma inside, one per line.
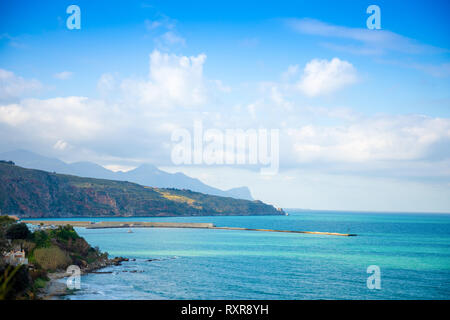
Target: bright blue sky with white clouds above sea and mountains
(362,115)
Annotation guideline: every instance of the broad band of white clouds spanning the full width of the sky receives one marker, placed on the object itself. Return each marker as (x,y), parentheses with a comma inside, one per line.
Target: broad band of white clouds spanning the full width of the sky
(136,125)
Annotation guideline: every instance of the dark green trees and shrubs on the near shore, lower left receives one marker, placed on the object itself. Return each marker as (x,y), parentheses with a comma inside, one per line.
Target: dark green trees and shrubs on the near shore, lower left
(47,251)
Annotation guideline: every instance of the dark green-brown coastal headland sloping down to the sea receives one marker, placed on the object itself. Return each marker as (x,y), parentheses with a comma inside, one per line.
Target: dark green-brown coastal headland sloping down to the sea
(40,194)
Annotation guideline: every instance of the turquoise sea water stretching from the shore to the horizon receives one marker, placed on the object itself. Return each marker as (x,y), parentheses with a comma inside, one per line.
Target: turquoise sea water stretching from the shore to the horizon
(412,251)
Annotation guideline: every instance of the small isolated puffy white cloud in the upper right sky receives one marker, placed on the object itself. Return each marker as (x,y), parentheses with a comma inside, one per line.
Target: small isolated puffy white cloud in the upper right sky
(323,76)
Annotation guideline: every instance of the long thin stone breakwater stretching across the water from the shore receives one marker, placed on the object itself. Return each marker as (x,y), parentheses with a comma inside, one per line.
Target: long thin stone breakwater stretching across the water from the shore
(139,224)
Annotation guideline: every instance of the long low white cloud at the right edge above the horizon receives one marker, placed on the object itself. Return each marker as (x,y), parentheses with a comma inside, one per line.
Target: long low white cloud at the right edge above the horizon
(388,138)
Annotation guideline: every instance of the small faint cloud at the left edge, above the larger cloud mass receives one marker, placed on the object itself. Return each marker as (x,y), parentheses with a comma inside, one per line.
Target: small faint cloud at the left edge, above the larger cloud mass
(13,87)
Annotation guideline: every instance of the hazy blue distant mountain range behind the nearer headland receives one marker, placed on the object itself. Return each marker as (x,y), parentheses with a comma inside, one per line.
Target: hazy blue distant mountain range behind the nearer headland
(146,174)
